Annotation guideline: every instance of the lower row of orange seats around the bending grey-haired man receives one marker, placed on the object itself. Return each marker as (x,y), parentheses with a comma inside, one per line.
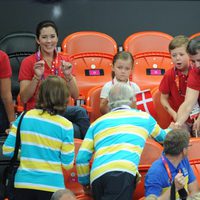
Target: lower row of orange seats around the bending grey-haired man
(152,151)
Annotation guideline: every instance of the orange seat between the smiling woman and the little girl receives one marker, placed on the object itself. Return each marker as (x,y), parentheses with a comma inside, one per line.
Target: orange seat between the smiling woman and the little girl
(91,54)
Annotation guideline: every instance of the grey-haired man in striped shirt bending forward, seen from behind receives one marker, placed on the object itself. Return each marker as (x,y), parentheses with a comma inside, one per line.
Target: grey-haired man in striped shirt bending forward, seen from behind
(116,141)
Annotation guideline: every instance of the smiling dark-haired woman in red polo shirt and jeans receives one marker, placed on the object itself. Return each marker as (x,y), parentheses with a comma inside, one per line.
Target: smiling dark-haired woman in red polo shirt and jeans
(47,61)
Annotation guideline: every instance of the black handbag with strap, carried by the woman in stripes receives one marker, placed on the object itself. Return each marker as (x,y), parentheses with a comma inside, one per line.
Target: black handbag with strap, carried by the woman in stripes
(7,188)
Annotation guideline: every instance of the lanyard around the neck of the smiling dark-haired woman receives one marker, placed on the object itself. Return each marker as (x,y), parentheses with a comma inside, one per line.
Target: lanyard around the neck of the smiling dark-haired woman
(55,67)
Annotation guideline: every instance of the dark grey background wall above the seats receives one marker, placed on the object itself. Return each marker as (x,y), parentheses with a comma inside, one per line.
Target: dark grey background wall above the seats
(117,18)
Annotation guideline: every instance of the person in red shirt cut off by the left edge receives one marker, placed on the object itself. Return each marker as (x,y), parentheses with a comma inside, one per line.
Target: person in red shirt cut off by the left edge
(7,114)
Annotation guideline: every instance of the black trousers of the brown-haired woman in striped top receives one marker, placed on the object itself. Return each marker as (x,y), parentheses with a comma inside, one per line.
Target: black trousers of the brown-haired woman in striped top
(28,194)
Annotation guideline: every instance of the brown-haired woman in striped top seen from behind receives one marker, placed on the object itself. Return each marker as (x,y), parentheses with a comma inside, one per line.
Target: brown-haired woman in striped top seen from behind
(47,143)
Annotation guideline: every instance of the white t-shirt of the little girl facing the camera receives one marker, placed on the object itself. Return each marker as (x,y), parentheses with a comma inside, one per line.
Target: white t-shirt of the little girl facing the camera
(106,88)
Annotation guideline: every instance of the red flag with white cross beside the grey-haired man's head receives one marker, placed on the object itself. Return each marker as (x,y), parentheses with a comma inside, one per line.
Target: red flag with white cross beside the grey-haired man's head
(144,102)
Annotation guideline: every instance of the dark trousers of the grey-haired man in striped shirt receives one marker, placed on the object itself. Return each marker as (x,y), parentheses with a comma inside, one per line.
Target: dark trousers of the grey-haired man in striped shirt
(114,186)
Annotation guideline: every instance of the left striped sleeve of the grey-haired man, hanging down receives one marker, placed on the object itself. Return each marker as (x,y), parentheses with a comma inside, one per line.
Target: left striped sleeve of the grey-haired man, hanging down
(83,158)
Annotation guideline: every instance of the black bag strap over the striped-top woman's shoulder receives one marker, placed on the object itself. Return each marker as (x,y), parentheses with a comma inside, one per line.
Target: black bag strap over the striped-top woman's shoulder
(18,141)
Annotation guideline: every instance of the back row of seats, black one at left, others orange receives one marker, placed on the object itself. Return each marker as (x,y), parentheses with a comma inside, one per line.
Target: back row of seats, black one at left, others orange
(92,53)
